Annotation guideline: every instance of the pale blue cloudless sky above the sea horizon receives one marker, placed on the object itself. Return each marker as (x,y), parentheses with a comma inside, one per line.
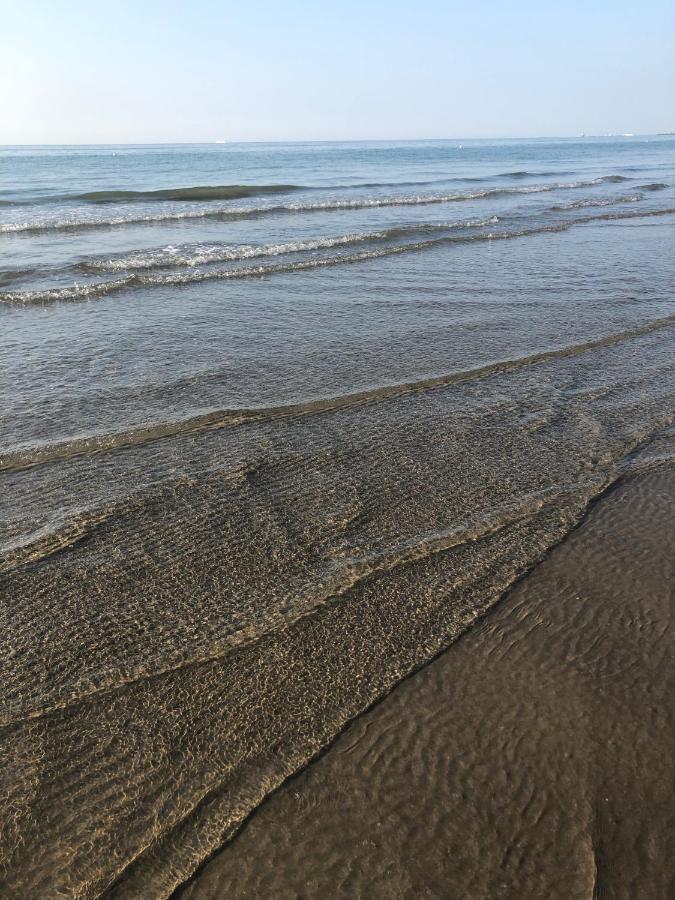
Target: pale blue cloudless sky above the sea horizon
(153,72)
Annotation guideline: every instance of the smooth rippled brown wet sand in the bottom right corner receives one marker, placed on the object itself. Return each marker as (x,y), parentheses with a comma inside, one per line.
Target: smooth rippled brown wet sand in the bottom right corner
(533,759)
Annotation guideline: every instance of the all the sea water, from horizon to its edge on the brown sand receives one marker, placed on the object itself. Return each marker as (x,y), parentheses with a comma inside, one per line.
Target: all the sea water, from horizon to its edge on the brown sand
(279,423)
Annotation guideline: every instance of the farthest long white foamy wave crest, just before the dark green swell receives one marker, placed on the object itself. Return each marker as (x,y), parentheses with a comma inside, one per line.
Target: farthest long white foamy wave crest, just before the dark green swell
(230,213)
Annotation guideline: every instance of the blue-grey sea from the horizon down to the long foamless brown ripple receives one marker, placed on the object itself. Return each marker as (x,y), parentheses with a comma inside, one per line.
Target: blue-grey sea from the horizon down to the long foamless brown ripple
(261,275)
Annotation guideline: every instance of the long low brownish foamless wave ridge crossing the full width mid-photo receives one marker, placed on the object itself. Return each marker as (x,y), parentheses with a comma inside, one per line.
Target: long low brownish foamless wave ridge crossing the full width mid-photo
(223,418)
